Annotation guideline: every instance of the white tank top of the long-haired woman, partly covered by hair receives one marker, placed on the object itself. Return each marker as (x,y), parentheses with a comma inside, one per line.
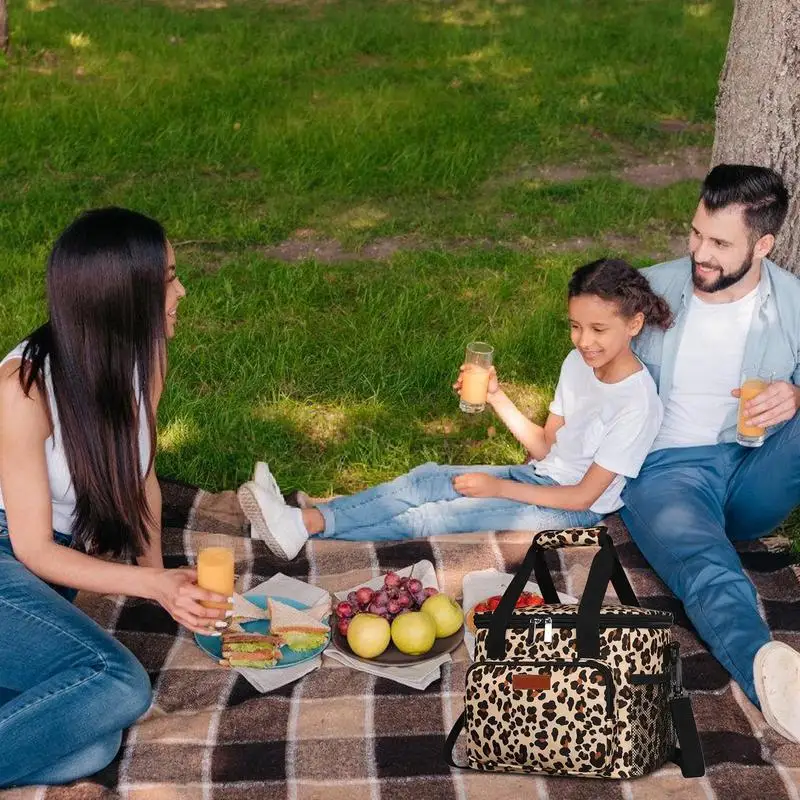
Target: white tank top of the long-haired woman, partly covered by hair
(62,493)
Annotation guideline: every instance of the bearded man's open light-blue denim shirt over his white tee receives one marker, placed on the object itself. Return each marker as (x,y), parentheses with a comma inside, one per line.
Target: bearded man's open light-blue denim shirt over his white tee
(772,343)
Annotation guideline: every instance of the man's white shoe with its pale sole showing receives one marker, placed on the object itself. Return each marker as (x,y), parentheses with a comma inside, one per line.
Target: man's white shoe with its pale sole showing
(776,671)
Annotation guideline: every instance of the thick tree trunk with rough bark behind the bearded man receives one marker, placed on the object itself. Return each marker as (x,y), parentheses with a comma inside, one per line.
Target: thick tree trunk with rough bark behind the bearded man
(758,104)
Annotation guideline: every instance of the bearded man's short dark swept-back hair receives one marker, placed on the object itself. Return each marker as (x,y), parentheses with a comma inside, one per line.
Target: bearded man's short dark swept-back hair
(760,190)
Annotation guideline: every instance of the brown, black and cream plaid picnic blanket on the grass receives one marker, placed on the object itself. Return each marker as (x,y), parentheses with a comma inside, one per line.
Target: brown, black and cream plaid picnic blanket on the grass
(344,735)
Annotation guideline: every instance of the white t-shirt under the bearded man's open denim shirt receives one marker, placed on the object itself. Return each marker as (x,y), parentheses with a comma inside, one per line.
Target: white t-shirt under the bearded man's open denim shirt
(708,365)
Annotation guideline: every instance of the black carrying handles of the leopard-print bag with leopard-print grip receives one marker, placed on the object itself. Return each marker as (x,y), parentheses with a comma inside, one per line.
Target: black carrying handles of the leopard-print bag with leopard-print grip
(605,569)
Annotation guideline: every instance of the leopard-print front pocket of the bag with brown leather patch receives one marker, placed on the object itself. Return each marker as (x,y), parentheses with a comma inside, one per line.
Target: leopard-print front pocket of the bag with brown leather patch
(550,716)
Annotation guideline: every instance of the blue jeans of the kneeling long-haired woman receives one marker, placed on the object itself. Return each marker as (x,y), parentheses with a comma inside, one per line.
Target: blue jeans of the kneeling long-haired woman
(67,688)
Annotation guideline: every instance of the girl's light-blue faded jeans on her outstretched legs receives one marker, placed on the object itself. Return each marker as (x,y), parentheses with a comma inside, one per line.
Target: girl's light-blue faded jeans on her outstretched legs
(423,503)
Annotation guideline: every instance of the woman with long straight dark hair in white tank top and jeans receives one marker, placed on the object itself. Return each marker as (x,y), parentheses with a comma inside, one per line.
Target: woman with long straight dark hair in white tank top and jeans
(77,443)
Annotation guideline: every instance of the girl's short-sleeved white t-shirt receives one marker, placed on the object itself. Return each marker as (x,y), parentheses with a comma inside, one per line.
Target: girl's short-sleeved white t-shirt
(610,424)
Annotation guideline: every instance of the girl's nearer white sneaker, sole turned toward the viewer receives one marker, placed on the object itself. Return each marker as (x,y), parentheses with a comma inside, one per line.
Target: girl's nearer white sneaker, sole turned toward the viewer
(279,526)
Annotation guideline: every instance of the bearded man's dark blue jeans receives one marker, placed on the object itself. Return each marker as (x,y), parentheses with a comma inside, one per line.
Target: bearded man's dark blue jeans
(684,512)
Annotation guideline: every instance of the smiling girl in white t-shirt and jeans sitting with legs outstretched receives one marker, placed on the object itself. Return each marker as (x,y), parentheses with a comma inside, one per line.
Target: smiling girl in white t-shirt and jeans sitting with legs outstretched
(602,422)
